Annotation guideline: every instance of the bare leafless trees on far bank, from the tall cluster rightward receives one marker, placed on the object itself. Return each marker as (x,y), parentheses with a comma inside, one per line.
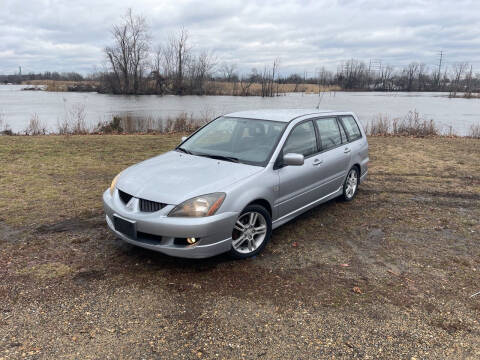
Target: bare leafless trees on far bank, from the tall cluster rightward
(135,67)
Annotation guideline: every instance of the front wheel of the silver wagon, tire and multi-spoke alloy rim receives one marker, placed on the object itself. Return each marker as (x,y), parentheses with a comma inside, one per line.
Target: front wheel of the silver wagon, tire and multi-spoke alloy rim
(253,217)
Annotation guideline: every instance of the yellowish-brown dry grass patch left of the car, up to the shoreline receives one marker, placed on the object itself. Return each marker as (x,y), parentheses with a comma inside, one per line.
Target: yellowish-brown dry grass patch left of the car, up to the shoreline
(54,173)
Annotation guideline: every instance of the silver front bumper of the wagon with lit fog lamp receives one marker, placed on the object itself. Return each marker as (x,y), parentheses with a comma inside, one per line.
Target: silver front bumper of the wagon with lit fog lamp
(213,231)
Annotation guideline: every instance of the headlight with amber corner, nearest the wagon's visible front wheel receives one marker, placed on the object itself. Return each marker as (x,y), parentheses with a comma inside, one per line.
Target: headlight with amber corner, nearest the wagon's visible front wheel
(205,205)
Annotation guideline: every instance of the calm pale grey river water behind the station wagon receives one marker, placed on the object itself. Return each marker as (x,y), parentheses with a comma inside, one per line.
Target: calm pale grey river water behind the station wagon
(17,107)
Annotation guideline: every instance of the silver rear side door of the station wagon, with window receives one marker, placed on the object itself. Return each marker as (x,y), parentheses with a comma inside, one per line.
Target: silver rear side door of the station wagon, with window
(335,154)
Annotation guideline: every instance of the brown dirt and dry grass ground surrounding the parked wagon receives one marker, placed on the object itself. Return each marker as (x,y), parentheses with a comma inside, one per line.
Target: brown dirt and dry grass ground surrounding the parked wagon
(389,275)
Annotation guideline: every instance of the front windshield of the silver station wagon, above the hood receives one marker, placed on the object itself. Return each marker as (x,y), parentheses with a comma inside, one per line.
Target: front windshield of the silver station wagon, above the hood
(247,141)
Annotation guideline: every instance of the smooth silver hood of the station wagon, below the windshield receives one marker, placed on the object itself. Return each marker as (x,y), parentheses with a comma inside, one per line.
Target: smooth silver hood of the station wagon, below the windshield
(174,177)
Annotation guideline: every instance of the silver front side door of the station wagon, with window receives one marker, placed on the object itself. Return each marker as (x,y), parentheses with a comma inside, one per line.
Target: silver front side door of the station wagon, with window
(298,184)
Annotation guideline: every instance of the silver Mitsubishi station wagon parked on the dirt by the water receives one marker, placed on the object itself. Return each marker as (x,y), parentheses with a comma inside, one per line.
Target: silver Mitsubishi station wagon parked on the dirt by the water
(226,186)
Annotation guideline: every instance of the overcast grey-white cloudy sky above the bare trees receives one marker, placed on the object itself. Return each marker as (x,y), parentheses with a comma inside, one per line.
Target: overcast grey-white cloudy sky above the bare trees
(62,35)
